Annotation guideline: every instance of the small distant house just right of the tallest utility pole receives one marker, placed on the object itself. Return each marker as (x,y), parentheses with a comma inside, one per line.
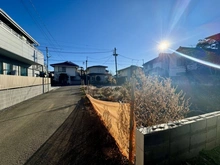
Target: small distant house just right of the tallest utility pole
(126,73)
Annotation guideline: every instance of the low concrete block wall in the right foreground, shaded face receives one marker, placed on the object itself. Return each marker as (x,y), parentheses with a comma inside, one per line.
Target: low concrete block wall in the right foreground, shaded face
(174,142)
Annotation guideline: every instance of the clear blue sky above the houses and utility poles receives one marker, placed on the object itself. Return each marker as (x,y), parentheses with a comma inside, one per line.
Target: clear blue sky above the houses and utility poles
(76,30)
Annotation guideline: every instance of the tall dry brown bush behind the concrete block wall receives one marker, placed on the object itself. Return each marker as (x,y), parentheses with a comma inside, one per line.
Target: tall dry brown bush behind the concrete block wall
(156,100)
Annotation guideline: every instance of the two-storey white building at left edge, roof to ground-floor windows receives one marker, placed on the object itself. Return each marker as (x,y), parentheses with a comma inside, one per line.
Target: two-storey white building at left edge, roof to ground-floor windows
(18,52)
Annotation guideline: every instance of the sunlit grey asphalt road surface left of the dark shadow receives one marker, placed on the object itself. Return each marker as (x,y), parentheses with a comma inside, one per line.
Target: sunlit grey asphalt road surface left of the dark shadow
(25,127)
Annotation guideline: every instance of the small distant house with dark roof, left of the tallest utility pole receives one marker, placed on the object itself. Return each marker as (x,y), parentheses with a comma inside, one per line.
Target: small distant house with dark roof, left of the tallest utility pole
(97,74)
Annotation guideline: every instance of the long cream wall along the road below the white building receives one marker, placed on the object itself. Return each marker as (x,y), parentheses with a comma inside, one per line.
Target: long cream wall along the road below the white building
(10,97)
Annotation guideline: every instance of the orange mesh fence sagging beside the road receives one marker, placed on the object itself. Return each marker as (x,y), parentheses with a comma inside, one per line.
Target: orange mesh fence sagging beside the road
(116,118)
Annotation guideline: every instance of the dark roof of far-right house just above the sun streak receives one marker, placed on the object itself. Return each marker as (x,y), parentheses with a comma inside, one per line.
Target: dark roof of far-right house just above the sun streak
(210,55)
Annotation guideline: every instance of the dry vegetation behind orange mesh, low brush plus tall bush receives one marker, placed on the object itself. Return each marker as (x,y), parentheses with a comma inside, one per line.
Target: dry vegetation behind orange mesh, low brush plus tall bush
(156,100)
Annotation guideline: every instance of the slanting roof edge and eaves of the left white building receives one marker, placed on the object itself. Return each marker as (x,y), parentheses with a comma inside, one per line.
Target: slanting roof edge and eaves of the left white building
(4,17)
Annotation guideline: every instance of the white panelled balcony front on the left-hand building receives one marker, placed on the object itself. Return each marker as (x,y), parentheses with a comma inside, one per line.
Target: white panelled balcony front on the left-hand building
(17,47)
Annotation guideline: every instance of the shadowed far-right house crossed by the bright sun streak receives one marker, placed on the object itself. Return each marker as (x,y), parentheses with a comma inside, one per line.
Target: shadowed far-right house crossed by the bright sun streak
(206,50)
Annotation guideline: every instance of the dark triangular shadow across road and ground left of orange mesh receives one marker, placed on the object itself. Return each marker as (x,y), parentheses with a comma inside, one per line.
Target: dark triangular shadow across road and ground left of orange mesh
(80,140)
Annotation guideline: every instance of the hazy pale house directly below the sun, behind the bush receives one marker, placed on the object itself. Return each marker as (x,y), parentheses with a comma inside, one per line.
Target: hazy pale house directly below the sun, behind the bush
(158,66)
